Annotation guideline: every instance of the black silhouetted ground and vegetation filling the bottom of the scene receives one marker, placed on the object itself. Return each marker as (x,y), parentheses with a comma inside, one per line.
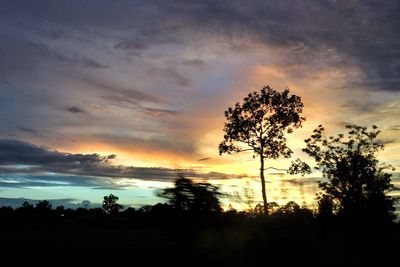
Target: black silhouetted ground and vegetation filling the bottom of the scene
(161,234)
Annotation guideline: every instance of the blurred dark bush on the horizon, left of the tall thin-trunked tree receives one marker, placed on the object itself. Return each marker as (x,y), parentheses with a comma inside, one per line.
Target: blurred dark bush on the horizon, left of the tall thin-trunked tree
(194,197)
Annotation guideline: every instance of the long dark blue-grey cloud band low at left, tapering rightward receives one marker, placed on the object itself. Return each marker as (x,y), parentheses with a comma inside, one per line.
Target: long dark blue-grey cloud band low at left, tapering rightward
(23,165)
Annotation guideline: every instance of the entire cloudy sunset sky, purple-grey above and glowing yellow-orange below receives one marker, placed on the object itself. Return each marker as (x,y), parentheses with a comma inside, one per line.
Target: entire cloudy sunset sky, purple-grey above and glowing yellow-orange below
(121,97)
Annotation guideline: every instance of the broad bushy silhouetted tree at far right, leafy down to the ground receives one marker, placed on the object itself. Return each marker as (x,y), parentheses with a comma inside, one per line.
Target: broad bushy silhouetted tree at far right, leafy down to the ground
(356,182)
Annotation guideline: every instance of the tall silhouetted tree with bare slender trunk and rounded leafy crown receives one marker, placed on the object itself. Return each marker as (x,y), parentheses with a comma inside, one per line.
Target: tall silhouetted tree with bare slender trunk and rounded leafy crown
(260,124)
